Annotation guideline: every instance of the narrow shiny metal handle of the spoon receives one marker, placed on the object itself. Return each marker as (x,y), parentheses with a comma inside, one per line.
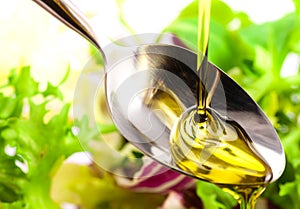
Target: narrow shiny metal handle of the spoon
(71,16)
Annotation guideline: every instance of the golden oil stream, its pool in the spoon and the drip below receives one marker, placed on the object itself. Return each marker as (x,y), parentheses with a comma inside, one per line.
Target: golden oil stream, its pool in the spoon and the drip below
(213,148)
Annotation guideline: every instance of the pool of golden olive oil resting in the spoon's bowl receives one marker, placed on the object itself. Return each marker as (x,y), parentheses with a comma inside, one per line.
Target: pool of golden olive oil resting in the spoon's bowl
(217,150)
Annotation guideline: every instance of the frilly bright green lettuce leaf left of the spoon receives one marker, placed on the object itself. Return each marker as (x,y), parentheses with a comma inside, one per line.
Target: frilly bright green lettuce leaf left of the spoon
(40,142)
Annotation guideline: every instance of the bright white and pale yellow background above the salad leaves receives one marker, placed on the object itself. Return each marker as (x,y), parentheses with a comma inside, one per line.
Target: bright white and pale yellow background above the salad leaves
(30,36)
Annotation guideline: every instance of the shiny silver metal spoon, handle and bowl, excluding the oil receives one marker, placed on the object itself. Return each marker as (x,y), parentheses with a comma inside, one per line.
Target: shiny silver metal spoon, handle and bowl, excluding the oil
(149,86)
